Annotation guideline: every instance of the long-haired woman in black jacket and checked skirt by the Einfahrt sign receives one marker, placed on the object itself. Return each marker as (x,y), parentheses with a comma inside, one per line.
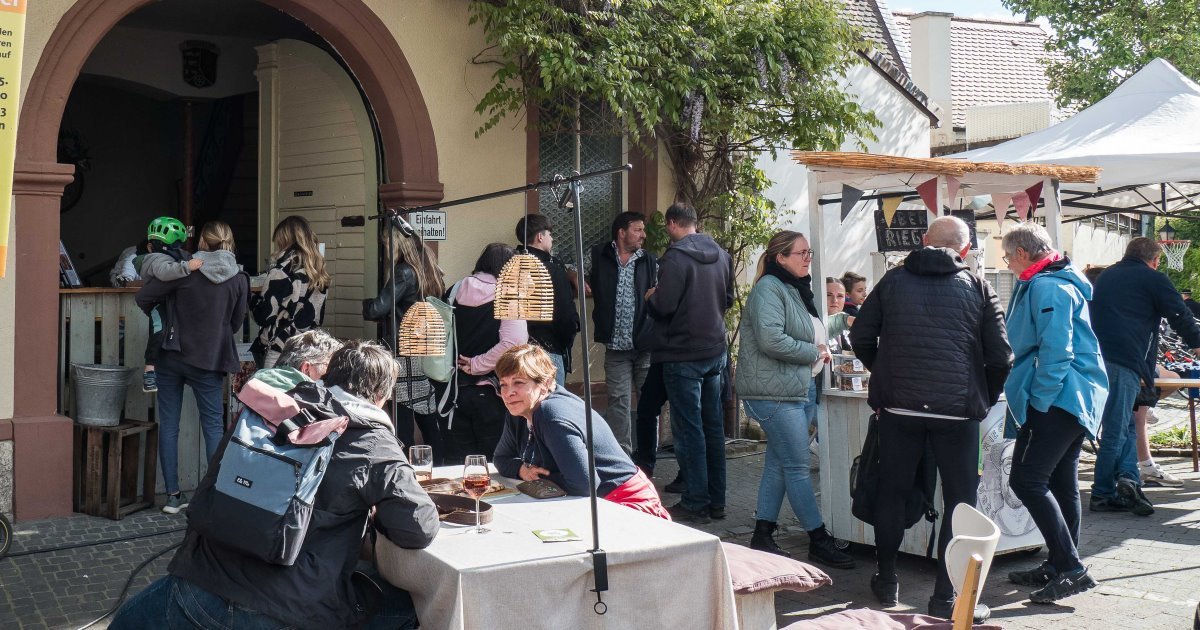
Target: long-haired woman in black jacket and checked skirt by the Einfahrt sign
(415,277)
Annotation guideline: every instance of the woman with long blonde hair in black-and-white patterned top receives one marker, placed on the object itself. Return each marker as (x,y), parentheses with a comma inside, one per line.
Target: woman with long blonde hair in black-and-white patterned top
(295,297)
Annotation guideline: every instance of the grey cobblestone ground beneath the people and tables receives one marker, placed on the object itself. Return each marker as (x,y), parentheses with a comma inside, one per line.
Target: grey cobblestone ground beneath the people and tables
(1149,567)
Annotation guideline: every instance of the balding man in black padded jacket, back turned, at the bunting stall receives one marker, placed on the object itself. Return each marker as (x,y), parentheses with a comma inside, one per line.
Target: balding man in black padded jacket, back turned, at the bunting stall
(933,337)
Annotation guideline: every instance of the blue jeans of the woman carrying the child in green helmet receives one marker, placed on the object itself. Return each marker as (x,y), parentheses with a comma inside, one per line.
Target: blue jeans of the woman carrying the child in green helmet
(209,391)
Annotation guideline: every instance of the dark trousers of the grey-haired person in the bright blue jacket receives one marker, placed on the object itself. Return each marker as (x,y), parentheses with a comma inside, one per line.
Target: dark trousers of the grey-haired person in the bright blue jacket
(1046,467)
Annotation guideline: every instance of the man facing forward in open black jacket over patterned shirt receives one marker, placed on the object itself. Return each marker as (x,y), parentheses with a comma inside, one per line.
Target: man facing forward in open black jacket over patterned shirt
(622,274)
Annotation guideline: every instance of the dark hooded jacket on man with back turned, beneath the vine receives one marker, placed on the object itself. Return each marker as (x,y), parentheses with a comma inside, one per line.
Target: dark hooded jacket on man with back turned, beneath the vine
(695,290)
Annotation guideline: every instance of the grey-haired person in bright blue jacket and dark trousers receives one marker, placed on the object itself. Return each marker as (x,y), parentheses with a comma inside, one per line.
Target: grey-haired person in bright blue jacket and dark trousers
(1057,392)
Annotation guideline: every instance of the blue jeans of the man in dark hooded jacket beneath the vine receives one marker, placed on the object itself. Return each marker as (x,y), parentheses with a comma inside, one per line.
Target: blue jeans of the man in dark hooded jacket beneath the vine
(694,389)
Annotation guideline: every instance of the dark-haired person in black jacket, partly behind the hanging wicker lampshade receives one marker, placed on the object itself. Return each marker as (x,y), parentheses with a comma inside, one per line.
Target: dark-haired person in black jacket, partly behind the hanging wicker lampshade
(557,338)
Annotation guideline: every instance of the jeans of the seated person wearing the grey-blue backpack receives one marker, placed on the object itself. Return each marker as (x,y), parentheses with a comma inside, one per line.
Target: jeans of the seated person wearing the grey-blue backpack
(172,603)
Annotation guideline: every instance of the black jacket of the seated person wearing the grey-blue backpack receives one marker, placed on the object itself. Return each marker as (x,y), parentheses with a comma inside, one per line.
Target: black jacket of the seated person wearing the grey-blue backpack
(368,470)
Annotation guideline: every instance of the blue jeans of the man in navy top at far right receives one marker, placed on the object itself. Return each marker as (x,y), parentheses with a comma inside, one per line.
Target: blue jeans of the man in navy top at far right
(1119,435)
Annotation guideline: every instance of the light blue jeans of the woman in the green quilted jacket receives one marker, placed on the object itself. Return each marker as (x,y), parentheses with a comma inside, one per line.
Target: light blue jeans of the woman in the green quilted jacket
(787,467)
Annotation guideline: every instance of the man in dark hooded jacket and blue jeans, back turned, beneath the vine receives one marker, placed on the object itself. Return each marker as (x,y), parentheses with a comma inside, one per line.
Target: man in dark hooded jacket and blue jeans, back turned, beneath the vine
(688,308)
